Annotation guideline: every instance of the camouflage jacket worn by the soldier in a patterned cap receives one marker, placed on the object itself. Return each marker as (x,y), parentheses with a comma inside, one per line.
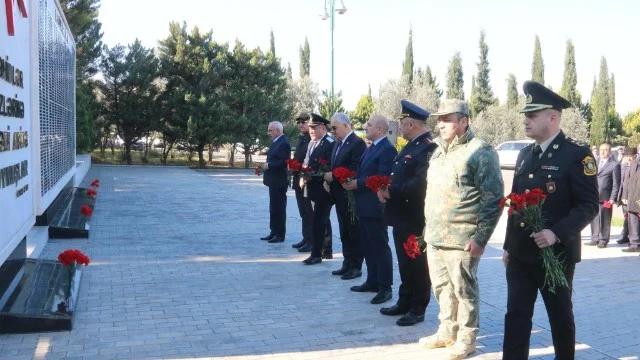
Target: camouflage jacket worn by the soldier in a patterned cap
(464,188)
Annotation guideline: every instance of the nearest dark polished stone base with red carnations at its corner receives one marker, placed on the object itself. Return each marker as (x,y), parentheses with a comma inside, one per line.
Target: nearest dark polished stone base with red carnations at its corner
(35,296)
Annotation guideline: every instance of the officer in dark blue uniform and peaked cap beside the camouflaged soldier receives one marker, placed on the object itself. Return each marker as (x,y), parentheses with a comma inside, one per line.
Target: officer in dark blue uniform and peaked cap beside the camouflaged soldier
(404,211)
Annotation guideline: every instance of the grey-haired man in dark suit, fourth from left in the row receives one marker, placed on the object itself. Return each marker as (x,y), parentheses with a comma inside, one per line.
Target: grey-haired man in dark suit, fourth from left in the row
(347,153)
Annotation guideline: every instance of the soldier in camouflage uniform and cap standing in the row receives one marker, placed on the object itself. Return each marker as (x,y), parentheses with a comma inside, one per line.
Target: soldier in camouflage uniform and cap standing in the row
(462,208)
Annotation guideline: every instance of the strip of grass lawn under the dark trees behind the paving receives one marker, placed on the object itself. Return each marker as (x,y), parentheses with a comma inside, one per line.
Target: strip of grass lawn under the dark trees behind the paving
(153,158)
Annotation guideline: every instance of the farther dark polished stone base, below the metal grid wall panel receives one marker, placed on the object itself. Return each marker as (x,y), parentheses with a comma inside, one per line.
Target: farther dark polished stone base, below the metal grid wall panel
(65,219)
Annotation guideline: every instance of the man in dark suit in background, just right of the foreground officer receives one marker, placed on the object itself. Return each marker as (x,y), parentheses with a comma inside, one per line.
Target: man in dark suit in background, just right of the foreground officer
(608,184)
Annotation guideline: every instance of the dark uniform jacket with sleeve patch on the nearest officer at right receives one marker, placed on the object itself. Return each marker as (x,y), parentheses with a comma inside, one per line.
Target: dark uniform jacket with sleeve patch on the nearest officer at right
(566,172)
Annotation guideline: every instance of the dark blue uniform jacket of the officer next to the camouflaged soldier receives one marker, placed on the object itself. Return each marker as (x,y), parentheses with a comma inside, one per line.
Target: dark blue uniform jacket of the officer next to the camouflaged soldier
(409,183)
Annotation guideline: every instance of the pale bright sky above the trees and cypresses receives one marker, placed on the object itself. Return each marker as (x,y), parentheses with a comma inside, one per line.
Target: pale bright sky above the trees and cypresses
(371,37)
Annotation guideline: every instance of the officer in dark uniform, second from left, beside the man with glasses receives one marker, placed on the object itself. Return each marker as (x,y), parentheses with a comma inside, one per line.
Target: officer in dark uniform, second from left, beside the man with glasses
(299,154)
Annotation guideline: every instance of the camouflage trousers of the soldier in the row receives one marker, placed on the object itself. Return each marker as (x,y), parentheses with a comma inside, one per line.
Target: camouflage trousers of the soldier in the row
(455,285)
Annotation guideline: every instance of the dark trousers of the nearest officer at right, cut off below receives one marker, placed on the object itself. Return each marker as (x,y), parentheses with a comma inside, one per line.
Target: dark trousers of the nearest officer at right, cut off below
(524,280)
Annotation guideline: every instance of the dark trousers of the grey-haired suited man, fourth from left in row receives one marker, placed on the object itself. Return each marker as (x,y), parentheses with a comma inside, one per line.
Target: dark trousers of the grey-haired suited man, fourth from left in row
(349,232)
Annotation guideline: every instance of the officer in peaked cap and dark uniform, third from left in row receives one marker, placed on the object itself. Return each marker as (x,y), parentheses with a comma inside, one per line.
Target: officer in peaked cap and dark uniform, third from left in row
(320,151)
